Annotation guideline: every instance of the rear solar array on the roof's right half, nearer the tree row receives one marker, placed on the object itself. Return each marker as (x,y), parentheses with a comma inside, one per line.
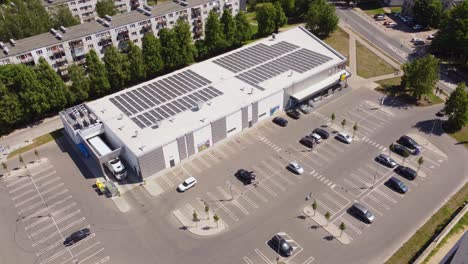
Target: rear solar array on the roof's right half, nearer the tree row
(254,55)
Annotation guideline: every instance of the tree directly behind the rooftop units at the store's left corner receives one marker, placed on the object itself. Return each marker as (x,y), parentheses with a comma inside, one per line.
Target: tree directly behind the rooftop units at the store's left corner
(79,88)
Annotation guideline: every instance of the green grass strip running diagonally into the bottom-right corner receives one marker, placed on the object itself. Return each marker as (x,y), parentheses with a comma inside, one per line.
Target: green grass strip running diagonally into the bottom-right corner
(419,241)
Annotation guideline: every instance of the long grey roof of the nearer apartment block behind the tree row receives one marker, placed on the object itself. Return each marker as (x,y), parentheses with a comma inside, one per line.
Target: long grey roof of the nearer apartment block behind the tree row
(82,30)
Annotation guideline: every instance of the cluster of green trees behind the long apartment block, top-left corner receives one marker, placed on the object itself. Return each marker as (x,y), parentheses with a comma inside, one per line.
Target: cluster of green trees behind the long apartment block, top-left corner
(25,18)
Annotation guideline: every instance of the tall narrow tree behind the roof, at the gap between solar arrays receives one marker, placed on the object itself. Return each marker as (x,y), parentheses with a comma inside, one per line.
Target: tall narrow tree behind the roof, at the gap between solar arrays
(214,36)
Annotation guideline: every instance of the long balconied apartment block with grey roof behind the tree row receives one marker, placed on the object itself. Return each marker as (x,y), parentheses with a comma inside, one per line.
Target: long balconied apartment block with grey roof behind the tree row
(65,46)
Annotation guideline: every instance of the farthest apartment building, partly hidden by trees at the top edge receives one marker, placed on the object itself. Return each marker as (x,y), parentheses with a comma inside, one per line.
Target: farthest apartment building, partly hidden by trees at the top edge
(85,10)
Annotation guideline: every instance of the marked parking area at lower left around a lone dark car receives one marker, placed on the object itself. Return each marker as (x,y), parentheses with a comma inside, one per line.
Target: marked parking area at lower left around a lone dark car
(48,214)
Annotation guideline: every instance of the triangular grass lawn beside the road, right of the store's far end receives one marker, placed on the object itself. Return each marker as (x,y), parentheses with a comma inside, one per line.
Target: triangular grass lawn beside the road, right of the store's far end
(370,65)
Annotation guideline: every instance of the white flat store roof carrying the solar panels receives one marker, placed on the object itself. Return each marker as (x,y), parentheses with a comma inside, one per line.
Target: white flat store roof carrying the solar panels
(236,93)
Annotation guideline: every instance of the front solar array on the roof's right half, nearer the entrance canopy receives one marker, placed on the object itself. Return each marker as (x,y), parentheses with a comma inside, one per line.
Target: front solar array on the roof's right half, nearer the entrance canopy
(300,61)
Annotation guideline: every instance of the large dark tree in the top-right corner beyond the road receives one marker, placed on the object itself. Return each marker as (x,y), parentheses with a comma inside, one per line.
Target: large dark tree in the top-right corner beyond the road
(452,38)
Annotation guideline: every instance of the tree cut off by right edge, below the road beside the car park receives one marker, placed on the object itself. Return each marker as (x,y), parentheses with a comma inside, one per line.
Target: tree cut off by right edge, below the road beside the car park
(456,107)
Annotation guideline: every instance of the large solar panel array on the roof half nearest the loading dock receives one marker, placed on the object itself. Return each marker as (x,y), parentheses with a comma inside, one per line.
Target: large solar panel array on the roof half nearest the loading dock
(164,98)
